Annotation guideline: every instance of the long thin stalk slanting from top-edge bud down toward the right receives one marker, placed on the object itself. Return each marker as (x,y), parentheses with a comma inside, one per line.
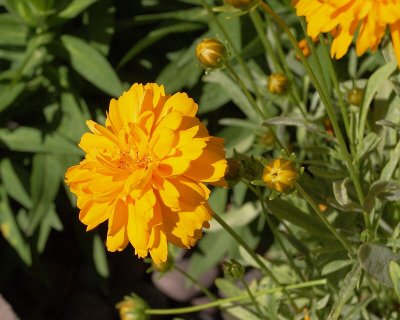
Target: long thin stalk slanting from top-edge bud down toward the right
(328,105)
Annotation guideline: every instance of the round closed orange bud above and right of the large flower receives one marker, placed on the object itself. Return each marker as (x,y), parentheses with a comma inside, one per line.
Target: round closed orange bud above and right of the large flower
(211,53)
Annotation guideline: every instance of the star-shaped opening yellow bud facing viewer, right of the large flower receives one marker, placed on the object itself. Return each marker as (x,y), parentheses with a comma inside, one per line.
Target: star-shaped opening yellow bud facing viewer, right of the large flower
(280,175)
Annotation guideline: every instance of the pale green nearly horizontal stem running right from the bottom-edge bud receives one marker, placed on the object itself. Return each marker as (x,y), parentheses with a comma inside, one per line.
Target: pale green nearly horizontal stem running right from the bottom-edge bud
(220,302)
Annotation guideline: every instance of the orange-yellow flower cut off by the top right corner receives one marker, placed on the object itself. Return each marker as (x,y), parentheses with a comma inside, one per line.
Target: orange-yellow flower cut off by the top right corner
(346,17)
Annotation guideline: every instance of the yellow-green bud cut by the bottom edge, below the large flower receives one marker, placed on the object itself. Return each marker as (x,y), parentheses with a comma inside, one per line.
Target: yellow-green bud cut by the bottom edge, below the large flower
(132,308)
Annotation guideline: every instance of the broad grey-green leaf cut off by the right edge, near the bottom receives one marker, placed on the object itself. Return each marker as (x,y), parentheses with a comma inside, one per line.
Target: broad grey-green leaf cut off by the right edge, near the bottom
(375,259)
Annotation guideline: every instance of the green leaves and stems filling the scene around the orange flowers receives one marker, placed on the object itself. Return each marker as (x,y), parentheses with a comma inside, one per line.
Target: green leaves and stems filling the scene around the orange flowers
(61,62)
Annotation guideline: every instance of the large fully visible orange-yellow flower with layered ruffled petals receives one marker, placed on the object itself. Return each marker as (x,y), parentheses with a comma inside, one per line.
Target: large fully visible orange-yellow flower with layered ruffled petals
(145,172)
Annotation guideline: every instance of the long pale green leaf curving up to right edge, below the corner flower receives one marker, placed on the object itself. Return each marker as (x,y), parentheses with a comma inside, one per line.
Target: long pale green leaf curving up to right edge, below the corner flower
(374,83)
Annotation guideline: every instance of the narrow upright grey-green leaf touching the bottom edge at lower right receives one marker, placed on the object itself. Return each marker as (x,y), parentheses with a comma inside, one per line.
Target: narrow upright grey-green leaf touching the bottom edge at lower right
(346,291)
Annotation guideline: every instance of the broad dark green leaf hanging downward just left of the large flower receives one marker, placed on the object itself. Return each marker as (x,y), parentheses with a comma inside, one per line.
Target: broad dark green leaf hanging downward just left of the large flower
(45,181)
